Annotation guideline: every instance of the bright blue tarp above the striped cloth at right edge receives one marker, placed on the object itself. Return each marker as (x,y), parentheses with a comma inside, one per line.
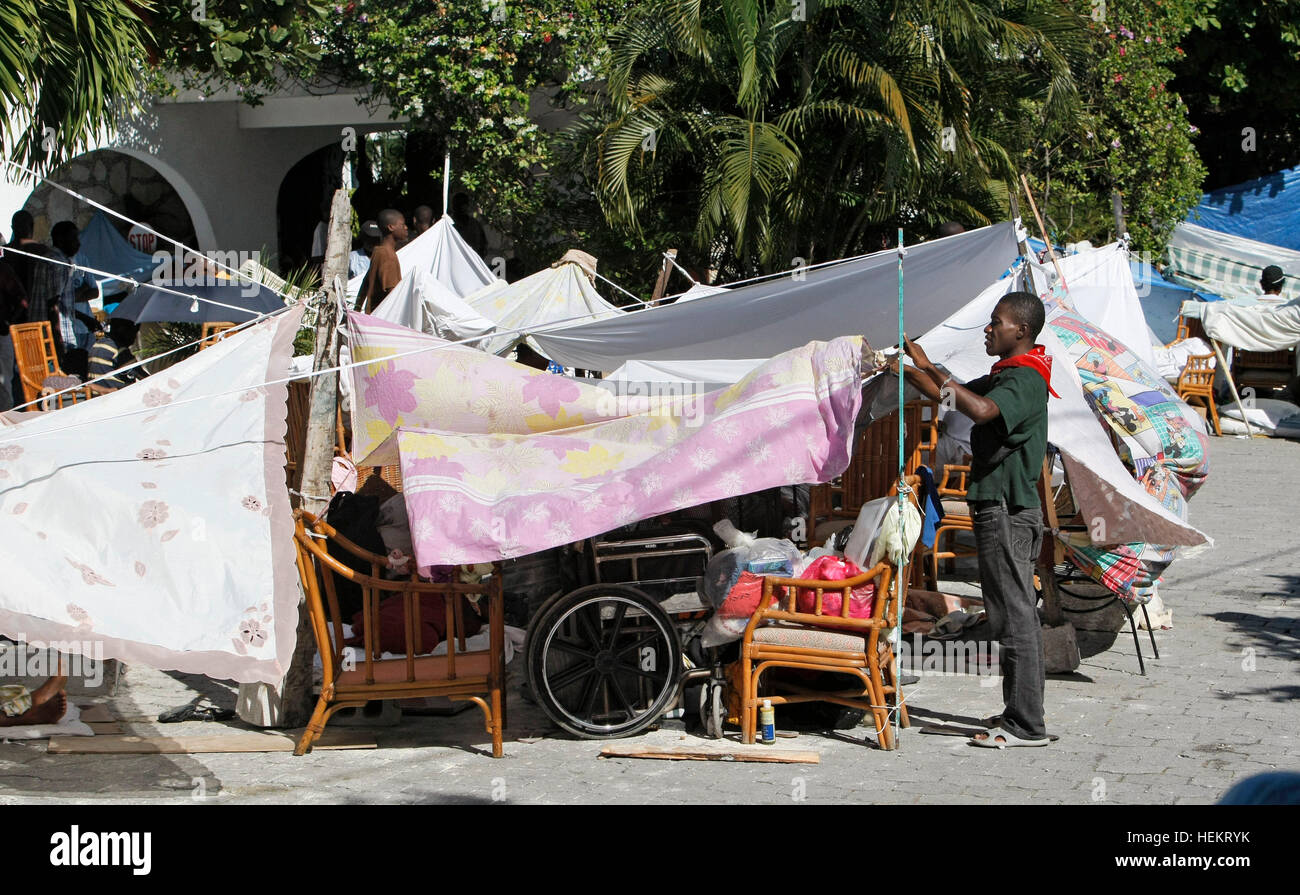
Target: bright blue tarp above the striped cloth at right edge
(1267,210)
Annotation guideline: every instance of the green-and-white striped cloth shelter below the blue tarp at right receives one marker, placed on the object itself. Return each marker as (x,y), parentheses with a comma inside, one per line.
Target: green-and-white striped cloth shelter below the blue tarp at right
(1229,266)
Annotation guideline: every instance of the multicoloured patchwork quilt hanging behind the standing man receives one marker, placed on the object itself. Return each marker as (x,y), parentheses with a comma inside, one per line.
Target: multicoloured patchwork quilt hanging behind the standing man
(1156,439)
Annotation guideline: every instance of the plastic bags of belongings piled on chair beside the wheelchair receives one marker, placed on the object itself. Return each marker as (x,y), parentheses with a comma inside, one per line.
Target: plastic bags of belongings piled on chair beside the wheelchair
(734,581)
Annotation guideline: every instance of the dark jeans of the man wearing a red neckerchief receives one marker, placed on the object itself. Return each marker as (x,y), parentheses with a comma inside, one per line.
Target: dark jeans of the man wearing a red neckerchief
(1009,546)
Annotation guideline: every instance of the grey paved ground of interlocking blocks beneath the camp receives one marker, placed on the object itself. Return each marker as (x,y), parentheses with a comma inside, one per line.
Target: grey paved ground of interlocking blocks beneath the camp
(1219,706)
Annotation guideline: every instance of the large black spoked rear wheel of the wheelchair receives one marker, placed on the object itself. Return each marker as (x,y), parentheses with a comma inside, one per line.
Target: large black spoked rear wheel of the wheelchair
(604,661)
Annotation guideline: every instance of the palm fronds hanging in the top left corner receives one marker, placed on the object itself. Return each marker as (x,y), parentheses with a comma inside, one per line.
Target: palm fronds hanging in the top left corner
(66,71)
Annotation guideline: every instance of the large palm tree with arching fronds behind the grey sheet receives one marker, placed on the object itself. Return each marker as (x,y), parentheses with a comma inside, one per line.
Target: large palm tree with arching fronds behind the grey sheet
(781,129)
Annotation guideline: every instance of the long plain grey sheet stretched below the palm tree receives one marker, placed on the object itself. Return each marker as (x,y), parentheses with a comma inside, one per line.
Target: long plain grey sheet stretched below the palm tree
(764,319)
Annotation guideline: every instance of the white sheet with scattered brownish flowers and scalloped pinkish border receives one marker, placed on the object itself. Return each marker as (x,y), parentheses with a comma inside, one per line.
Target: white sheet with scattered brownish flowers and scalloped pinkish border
(155,522)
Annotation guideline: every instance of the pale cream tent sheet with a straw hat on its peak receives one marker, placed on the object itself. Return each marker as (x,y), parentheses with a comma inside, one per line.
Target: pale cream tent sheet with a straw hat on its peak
(561,293)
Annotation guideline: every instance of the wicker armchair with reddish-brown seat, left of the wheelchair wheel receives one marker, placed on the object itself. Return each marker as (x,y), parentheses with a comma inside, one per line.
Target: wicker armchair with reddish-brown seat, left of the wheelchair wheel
(479,676)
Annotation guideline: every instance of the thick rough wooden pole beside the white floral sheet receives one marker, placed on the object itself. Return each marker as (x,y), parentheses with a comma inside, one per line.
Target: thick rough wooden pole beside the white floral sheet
(291,704)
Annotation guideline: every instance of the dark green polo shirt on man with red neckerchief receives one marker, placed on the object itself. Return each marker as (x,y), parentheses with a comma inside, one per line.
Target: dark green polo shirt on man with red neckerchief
(1021,427)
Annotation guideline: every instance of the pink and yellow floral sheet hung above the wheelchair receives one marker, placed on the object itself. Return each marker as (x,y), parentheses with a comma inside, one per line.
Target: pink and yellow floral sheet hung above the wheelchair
(501,461)
